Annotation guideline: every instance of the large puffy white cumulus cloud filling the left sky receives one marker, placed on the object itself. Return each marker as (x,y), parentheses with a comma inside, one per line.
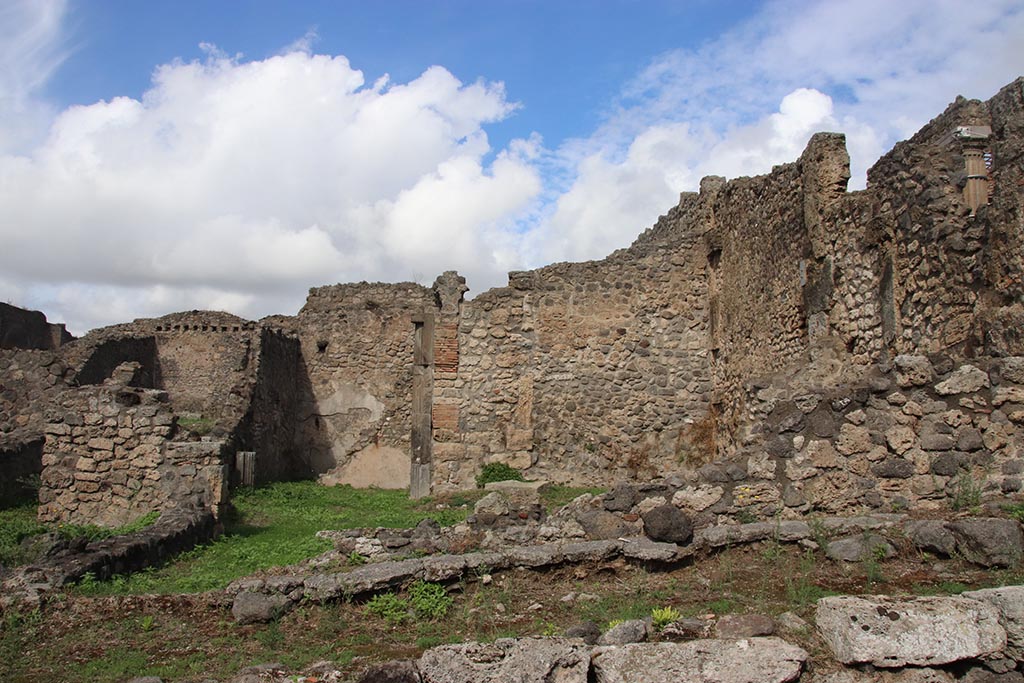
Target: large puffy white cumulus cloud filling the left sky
(239,185)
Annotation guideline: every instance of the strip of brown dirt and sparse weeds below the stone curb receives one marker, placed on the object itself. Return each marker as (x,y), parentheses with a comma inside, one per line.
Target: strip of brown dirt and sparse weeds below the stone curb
(194,637)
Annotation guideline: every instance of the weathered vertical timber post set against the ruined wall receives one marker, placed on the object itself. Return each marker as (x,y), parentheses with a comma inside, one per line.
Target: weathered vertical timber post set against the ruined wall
(423,381)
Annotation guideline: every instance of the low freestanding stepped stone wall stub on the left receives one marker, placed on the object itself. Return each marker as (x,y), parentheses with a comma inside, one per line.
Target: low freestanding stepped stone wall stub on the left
(108,459)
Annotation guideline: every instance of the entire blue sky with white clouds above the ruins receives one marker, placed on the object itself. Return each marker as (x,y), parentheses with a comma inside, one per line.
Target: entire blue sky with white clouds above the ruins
(166,156)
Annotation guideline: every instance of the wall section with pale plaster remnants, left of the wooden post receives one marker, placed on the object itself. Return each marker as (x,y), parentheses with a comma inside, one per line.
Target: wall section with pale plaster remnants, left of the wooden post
(357,344)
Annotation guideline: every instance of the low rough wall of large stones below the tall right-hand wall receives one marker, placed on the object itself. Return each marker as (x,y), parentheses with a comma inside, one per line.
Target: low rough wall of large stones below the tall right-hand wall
(912,435)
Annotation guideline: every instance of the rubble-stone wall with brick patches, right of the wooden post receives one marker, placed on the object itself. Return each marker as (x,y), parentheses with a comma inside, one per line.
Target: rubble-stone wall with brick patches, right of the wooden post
(581,372)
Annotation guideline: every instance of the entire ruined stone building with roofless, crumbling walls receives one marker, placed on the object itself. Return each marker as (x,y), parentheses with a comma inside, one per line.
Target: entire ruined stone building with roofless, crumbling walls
(790,331)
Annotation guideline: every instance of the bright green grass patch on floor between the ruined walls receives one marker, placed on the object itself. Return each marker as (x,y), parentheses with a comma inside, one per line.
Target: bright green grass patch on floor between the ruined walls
(276,526)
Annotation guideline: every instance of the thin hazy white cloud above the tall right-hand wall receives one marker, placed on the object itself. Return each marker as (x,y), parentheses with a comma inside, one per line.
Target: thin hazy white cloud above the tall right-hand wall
(751,99)
